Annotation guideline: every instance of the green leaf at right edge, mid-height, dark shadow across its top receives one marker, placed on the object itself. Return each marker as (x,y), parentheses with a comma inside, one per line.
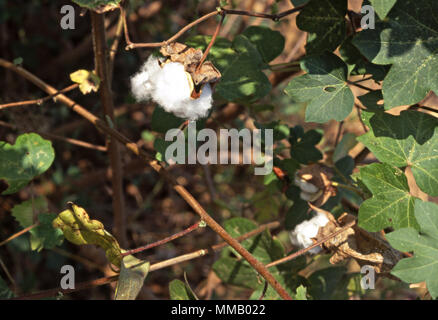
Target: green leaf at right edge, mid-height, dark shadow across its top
(410,139)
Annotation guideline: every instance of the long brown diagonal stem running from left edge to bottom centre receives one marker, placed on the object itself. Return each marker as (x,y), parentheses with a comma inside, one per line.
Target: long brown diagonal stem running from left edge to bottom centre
(257,265)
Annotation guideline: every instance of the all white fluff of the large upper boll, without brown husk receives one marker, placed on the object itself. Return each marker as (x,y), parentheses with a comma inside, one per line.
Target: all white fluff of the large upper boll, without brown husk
(169,86)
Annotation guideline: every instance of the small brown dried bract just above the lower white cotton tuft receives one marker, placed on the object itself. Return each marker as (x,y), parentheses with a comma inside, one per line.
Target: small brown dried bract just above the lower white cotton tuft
(320,176)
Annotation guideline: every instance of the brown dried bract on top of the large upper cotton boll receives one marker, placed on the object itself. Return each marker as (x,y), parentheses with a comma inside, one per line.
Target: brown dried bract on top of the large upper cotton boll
(190,58)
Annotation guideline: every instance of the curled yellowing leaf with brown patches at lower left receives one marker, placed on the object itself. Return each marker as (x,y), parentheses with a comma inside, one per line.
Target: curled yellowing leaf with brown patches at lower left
(79,229)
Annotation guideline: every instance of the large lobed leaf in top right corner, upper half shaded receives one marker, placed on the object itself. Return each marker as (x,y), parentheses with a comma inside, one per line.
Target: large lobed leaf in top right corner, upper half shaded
(408,41)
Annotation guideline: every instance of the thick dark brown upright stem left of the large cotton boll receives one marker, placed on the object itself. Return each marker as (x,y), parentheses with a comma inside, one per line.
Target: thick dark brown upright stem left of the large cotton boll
(101,64)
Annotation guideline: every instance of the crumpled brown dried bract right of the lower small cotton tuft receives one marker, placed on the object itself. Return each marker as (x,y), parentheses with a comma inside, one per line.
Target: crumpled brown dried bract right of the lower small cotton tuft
(367,248)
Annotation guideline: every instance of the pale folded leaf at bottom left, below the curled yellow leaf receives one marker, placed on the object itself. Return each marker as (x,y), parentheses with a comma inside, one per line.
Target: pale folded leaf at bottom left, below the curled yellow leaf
(133,272)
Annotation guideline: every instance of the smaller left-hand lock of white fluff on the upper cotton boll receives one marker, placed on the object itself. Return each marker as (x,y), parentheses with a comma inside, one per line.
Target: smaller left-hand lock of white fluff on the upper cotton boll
(142,84)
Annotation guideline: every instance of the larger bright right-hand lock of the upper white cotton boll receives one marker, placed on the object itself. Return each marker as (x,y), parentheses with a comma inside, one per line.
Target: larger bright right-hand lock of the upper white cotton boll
(172,92)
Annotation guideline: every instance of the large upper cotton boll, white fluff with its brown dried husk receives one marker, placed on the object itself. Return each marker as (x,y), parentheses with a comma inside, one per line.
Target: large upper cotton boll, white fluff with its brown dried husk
(173,82)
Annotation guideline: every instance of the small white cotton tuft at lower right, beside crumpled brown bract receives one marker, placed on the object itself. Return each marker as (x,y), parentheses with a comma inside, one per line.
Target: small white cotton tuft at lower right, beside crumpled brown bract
(303,233)
